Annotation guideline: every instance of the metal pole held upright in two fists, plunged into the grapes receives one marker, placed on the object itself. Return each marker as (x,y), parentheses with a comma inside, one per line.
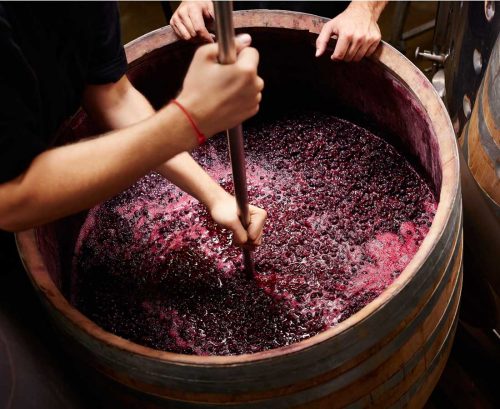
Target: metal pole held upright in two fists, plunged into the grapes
(227,55)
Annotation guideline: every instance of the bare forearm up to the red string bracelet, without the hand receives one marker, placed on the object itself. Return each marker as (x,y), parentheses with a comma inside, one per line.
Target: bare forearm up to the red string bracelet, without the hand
(71,178)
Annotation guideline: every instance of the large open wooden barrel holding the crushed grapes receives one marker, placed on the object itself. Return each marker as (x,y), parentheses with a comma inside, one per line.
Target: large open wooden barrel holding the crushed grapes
(389,354)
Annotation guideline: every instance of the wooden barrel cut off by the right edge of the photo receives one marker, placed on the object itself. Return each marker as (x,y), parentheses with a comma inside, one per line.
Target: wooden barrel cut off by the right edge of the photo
(480,174)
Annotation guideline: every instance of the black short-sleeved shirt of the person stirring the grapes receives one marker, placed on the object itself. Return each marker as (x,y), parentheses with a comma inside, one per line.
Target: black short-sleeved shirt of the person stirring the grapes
(49,52)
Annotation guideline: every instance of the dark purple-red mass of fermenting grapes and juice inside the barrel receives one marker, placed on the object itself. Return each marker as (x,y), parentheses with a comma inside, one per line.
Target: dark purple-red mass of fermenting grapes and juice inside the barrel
(347,212)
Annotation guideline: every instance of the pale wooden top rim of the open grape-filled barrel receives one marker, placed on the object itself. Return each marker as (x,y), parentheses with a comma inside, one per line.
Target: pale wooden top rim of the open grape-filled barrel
(442,131)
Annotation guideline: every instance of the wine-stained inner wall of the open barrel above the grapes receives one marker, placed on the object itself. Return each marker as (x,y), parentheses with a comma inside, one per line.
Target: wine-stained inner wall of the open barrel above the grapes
(366,93)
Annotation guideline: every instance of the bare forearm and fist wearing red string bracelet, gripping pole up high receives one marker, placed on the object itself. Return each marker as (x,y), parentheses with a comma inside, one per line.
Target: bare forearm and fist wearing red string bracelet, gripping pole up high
(68,179)
